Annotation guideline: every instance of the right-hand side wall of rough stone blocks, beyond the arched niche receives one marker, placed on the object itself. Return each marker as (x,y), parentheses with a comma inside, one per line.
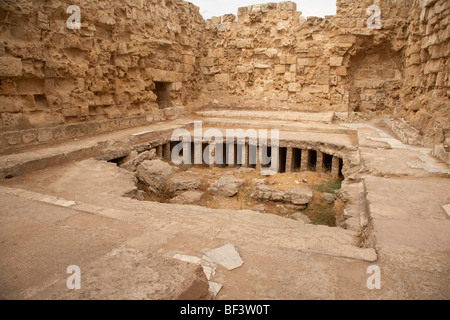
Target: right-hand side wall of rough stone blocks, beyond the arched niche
(426,87)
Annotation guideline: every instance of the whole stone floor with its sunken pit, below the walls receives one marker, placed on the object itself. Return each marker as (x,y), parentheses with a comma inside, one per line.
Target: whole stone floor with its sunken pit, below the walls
(80,203)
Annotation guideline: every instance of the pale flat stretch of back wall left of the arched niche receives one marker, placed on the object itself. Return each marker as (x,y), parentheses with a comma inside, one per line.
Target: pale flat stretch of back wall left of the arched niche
(271,55)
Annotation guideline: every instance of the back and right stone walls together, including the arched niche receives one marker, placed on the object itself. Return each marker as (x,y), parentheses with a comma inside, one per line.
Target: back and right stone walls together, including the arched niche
(271,56)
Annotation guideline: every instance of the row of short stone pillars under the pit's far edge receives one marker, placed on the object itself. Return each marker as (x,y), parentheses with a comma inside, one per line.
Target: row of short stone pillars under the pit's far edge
(289,159)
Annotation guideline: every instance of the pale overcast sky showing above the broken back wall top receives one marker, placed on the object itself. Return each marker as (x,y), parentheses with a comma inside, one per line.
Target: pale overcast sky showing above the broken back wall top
(211,8)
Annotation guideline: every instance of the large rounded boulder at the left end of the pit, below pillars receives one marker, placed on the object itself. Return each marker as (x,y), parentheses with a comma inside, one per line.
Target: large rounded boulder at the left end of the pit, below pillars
(154,173)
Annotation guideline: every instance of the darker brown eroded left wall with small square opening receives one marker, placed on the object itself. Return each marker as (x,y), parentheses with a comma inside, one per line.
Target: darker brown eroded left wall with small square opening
(104,72)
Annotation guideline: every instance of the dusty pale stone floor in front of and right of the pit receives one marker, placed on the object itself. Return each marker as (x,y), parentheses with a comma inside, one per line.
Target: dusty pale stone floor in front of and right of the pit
(115,239)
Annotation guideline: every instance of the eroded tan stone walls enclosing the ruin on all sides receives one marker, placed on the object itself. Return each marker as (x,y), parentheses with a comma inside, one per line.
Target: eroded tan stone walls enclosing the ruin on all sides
(132,58)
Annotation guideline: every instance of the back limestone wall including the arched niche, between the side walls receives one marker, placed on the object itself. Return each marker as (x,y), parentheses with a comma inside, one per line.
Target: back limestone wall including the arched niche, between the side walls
(270,54)
